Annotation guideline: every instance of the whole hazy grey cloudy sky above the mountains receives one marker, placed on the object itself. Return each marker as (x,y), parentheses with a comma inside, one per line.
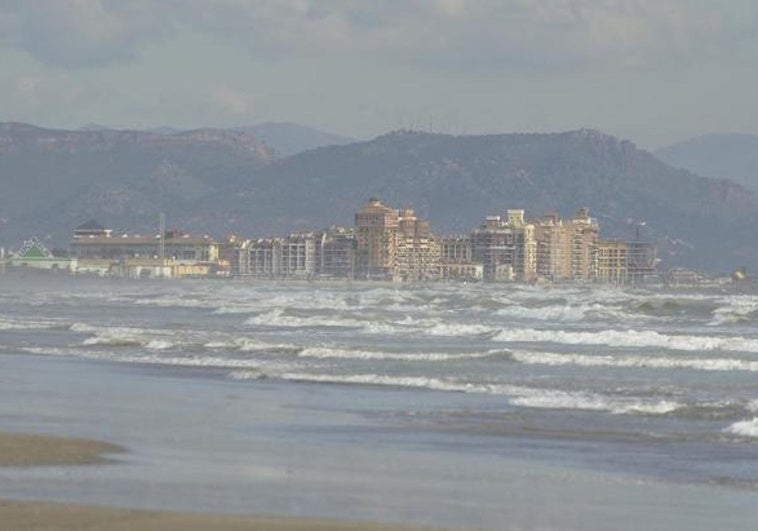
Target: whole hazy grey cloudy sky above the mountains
(652,71)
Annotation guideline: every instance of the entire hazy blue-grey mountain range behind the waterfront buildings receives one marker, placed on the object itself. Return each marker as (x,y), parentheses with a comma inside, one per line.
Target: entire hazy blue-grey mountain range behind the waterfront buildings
(222,181)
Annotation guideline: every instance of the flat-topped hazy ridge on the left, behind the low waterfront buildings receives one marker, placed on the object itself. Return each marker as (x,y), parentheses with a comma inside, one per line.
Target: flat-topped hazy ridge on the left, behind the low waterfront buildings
(53,180)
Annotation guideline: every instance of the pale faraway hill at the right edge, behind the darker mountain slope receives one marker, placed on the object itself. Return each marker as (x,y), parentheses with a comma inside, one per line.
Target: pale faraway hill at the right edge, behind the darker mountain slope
(726,156)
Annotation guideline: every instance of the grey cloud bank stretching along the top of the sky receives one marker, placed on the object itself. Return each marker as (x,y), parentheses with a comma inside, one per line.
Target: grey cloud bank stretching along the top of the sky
(446,34)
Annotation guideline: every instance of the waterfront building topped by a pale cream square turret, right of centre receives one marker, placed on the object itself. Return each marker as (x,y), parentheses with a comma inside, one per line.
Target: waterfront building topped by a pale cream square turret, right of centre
(507,248)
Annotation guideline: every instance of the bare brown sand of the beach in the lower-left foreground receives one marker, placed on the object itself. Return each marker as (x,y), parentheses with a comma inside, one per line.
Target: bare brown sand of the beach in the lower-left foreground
(36,450)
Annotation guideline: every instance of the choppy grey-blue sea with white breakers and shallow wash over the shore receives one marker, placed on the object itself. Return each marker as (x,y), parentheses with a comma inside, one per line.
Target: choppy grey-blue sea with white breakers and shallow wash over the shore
(460,406)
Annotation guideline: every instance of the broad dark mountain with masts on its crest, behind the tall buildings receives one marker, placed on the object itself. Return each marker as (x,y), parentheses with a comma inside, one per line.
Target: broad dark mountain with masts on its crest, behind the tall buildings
(457,180)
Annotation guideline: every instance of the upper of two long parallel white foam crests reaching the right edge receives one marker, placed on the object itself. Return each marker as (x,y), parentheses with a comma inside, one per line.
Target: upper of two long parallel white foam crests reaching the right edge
(629,338)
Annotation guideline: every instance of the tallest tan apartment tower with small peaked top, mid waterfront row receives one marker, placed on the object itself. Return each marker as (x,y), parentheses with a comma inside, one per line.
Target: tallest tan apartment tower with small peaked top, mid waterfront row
(376,234)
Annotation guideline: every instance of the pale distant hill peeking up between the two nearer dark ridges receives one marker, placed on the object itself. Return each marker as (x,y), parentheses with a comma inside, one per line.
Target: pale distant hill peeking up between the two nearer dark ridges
(289,138)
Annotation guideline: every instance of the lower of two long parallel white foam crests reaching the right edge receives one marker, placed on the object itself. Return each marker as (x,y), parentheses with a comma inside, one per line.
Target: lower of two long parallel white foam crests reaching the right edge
(555,359)
